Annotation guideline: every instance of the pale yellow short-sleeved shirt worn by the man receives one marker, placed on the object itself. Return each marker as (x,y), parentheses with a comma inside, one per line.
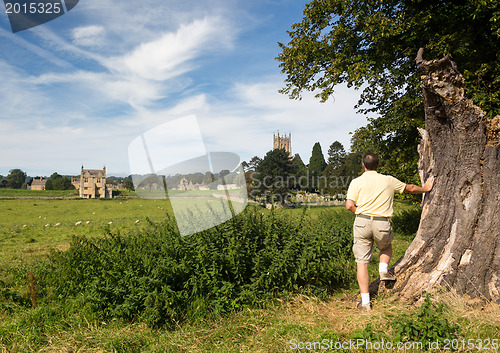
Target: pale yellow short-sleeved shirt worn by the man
(373,193)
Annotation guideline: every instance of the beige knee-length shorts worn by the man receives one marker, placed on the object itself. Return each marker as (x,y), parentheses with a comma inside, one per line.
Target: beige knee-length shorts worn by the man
(366,231)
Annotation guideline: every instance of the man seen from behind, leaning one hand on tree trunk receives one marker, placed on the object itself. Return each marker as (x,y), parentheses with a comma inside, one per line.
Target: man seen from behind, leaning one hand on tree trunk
(371,197)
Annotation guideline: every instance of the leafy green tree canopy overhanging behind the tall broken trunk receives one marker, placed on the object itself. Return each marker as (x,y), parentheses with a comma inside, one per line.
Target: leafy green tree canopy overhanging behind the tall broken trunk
(373,45)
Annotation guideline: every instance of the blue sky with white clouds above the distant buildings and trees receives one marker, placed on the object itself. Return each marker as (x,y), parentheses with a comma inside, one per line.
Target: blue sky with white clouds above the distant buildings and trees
(79,89)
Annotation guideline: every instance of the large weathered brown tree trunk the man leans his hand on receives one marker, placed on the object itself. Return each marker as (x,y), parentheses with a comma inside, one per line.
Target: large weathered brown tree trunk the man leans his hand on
(458,241)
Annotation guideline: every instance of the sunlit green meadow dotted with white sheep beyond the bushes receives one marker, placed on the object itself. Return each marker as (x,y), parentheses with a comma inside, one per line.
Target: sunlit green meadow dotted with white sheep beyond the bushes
(30,227)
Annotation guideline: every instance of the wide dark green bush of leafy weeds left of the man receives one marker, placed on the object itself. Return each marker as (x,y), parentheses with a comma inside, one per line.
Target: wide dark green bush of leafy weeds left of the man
(162,278)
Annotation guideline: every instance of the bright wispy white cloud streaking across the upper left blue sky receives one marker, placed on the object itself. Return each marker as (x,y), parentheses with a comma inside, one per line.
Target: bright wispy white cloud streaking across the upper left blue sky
(146,73)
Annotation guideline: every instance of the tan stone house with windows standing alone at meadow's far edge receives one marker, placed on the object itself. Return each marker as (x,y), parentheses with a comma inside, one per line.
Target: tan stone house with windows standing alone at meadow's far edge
(92,184)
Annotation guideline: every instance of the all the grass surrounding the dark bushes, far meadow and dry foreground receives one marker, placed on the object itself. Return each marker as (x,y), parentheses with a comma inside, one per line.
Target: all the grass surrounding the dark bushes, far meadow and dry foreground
(29,228)
